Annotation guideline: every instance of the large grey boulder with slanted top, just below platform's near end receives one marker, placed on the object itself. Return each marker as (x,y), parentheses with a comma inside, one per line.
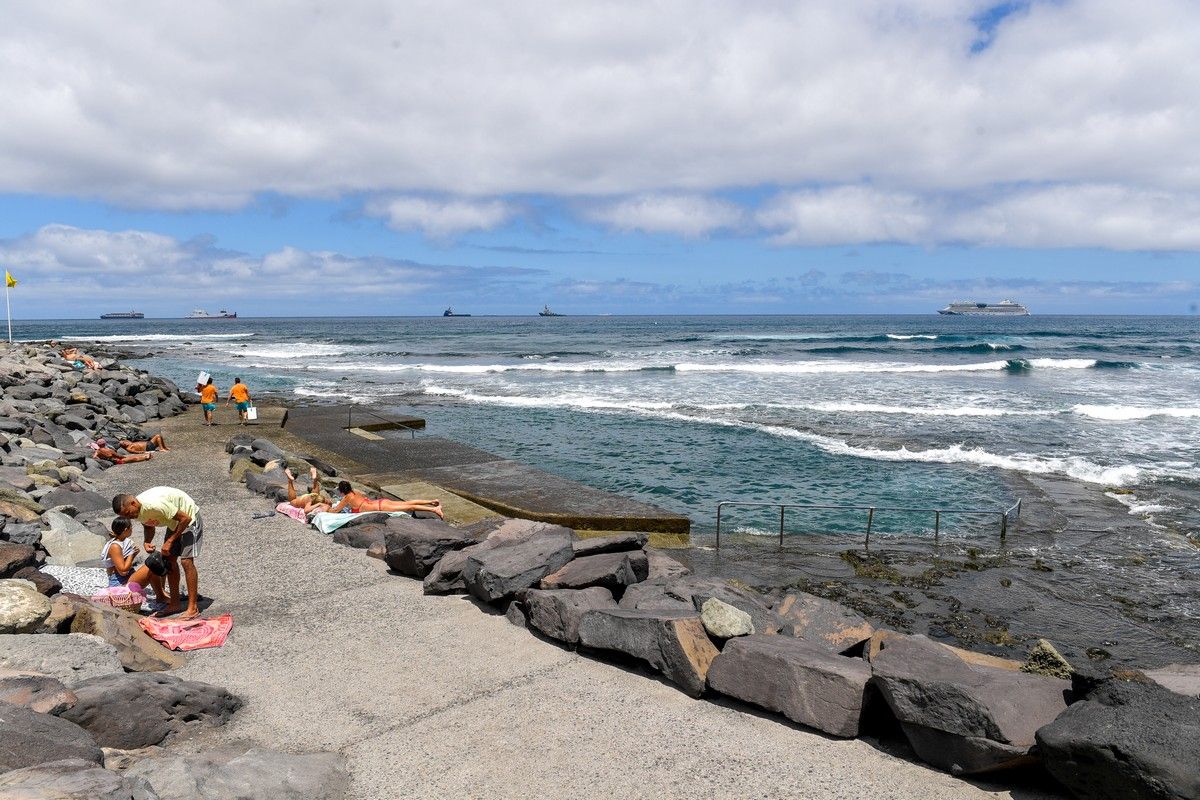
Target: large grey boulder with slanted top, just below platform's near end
(496,575)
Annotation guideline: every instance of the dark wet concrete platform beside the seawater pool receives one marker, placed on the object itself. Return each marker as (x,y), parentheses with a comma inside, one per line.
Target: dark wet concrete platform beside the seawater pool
(485,479)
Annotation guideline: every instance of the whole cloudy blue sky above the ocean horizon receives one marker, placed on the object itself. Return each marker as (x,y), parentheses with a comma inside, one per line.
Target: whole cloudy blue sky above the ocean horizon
(353,158)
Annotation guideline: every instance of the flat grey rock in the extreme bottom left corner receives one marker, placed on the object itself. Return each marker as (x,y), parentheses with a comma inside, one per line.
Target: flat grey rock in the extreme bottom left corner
(74,780)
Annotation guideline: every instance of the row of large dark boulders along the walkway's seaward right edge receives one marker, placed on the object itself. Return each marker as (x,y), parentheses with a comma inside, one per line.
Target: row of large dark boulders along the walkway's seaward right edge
(808,659)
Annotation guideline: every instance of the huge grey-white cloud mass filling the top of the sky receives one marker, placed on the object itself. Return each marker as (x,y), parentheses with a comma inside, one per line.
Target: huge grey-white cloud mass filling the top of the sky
(911,113)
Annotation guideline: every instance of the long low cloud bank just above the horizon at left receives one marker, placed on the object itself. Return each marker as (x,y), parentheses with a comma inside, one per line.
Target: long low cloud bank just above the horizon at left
(61,263)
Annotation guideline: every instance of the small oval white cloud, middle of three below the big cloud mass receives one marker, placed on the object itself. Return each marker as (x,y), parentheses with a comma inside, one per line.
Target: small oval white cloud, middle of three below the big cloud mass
(687,215)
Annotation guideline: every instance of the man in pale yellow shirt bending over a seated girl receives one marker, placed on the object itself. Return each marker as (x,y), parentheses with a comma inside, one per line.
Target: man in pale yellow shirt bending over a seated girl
(165,507)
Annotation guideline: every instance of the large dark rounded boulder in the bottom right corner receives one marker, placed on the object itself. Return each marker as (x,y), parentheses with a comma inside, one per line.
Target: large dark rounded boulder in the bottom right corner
(1126,742)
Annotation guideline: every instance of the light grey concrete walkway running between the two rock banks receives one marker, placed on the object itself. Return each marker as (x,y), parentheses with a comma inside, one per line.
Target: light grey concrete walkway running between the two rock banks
(430,697)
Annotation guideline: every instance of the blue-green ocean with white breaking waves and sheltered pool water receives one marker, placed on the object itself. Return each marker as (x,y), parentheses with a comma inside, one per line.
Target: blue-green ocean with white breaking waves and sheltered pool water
(687,412)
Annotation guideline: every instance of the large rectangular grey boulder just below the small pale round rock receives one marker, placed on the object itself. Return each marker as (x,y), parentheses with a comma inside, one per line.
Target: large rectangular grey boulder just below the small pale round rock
(801,679)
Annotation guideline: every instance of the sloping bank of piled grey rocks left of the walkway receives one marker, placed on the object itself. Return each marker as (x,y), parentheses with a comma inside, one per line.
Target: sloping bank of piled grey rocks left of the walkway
(88,709)
